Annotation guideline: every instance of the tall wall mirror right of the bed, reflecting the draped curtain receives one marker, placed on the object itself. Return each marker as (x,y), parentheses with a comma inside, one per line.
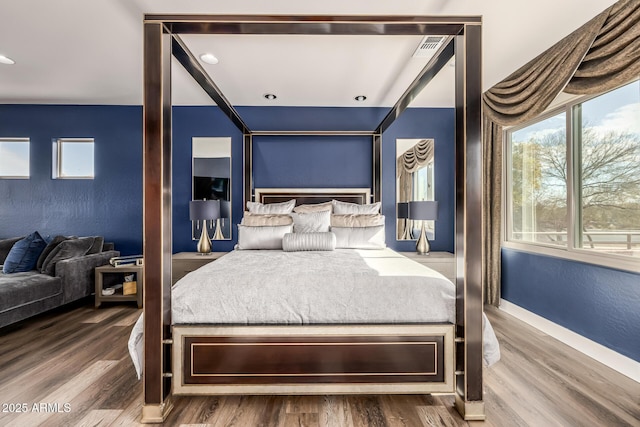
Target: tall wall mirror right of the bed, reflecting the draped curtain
(414,182)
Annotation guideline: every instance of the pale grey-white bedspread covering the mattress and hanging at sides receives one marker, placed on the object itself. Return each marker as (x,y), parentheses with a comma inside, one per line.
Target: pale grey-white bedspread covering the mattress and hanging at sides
(341,286)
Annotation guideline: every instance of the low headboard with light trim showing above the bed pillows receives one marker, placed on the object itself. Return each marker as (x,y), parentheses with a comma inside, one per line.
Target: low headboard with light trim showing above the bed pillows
(304,196)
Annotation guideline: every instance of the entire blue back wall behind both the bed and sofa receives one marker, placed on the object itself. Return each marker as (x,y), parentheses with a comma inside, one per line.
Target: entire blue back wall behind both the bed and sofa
(111,204)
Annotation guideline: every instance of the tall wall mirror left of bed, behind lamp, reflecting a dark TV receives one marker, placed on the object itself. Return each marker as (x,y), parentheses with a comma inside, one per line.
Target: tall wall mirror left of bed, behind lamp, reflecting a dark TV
(211,180)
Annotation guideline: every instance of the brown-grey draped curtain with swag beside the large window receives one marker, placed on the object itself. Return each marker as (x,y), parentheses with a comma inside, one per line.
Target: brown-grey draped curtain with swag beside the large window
(602,54)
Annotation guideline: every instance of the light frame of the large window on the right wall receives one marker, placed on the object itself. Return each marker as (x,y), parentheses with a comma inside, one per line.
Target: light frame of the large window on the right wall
(571,251)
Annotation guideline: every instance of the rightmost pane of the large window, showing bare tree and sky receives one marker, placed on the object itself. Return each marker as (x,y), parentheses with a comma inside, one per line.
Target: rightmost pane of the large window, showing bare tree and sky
(607,150)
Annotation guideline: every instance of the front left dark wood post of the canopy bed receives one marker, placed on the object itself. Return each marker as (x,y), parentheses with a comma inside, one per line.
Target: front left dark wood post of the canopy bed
(157,221)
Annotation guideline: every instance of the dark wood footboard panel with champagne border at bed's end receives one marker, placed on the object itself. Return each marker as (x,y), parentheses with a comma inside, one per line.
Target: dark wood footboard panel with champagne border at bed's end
(326,359)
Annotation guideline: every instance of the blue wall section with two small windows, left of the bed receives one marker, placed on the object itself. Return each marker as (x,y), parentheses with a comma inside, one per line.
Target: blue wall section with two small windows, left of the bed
(109,205)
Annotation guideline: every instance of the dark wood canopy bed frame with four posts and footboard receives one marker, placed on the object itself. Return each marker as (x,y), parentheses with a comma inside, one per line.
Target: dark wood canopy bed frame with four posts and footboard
(461,360)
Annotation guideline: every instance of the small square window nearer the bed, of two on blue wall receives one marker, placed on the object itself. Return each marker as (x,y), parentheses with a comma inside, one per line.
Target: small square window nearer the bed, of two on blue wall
(73,159)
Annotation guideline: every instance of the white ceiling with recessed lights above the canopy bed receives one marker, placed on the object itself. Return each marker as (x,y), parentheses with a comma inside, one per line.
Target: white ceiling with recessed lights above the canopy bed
(90,52)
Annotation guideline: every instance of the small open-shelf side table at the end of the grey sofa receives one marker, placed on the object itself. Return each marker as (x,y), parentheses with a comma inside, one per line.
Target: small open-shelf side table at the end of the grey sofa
(108,276)
